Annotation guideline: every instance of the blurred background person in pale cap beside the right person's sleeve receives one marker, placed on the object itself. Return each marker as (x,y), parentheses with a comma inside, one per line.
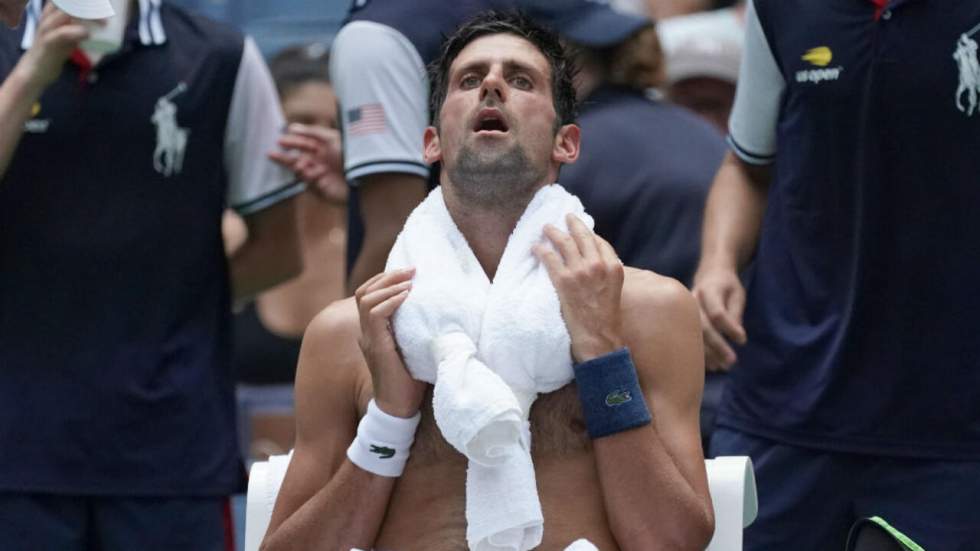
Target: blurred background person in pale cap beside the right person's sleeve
(703,51)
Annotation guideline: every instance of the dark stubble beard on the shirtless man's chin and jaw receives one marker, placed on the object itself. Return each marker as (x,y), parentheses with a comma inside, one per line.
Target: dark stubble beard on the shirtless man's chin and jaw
(491,180)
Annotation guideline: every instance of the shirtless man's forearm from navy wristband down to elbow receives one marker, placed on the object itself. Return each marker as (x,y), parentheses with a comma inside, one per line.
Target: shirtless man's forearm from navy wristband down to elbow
(649,502)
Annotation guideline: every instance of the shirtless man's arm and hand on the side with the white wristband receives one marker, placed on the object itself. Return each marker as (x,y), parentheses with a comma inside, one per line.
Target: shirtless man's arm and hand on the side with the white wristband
(326,502)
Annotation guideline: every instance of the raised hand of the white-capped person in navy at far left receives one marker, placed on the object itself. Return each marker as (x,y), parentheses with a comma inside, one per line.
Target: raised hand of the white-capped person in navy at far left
(57,35)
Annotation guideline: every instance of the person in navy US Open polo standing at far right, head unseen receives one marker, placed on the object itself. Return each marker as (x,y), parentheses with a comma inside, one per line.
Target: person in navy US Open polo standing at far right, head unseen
(853,184)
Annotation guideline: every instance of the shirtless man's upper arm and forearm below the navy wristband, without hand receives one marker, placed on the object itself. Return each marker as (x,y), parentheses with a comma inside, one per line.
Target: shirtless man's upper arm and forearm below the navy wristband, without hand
(653,479)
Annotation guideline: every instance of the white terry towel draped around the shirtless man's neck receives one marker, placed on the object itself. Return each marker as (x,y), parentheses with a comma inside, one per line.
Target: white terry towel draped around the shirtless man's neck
(489,349)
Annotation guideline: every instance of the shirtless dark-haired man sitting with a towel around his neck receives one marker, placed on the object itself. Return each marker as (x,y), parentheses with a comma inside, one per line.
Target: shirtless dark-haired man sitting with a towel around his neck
(643,488)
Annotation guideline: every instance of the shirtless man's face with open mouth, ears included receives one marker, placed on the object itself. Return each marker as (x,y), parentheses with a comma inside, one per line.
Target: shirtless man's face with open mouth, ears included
(497,138)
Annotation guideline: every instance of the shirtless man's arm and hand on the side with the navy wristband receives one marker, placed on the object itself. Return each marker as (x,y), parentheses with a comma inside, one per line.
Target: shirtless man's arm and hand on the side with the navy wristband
(653,480)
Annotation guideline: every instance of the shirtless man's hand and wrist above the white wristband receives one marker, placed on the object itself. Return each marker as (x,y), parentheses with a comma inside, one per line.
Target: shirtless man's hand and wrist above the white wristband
(395,391)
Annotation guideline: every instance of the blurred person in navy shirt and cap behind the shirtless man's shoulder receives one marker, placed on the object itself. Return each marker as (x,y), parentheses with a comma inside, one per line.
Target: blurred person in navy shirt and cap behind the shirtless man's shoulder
(645,165)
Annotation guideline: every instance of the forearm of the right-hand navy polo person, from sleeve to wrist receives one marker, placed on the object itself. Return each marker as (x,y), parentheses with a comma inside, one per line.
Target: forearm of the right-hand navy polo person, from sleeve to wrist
(733,215)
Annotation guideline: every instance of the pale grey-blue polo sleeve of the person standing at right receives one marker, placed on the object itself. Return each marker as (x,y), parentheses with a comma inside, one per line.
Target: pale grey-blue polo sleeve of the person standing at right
(752,126)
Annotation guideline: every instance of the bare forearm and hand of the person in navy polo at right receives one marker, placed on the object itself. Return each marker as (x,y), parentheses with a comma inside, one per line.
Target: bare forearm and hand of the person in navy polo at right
(732,221)
